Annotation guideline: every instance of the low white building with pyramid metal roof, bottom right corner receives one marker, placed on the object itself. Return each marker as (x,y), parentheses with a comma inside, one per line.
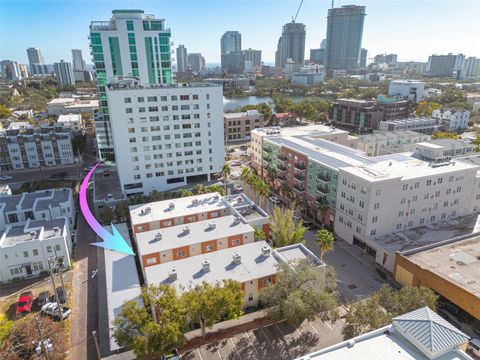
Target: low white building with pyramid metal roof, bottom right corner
(418,335)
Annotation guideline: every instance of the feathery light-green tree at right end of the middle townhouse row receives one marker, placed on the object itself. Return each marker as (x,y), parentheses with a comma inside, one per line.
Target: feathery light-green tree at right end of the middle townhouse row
(284,230)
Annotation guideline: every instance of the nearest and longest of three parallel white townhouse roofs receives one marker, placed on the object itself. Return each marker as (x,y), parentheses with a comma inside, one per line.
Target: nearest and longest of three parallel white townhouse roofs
(254,265)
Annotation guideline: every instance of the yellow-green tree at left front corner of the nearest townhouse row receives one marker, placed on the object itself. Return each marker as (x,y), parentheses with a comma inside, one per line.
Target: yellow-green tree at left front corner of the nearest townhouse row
(137,330)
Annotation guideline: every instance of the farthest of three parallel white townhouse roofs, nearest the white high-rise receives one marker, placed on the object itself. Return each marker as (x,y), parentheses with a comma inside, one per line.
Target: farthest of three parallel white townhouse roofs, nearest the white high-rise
(160,210)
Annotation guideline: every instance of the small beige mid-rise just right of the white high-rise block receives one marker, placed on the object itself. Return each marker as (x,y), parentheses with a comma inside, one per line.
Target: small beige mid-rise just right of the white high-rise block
(239,125)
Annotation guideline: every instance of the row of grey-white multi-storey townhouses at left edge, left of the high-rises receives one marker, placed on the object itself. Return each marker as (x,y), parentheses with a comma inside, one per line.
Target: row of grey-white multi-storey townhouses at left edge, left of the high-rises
(23,146)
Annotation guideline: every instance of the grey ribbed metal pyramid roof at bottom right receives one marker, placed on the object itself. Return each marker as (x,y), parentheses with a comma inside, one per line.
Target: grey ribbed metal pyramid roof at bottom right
(429,330)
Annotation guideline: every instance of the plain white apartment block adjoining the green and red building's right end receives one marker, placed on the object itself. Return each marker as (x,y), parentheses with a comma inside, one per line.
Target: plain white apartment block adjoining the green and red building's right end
(391,196)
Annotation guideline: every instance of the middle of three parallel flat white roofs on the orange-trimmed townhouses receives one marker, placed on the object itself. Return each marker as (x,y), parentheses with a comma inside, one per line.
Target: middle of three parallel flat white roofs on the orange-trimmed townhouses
(200,231)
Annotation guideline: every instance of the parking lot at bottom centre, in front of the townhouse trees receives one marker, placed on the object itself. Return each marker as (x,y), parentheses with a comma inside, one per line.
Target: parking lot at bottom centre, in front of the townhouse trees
(274,341)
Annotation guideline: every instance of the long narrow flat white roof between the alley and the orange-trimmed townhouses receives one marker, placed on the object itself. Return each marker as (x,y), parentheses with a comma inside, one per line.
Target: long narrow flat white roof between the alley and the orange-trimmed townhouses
(122,283)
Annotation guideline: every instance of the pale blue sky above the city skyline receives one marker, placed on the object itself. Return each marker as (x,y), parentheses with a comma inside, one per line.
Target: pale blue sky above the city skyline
(413,29)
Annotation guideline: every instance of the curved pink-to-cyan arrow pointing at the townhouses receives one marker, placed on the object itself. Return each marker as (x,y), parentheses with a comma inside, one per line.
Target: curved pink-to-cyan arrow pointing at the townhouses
(113,242)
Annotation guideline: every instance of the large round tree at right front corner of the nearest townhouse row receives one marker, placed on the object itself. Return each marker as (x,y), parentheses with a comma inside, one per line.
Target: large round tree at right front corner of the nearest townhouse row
(301,291)
